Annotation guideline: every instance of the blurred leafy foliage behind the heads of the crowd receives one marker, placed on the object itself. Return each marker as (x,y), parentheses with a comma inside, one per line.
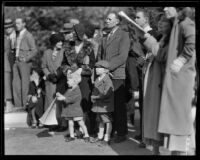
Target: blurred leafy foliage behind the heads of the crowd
(41,21)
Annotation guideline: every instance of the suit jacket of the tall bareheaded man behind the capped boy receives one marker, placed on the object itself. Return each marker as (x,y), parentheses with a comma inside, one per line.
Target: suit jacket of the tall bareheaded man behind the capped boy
(115,51)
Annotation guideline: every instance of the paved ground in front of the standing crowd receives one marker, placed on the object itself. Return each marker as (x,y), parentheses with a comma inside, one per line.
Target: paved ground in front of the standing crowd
(21,140)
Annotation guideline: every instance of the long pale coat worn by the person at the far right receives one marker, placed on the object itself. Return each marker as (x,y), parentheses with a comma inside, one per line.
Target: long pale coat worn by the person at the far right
(178,88)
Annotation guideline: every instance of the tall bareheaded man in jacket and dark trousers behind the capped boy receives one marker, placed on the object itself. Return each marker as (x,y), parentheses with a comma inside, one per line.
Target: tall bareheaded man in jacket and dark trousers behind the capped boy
(114,49)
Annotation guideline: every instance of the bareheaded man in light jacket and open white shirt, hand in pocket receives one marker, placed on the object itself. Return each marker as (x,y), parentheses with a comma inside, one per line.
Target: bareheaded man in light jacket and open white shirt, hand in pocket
(25,52)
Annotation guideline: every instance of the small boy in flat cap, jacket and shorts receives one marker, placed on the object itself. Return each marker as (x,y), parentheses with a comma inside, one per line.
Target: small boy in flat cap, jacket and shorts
(103,101)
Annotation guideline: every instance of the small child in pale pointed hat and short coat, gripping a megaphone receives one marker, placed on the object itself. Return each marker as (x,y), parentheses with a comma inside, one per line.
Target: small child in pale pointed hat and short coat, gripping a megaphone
(73,111)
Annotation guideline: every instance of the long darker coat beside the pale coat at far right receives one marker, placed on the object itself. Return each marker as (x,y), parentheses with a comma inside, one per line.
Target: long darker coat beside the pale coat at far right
(152,97)
